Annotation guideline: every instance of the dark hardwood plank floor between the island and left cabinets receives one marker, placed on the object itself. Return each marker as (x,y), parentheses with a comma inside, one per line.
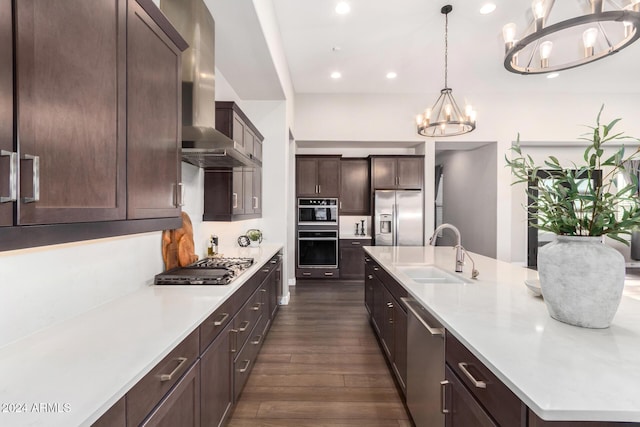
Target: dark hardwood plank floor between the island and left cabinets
(321,366)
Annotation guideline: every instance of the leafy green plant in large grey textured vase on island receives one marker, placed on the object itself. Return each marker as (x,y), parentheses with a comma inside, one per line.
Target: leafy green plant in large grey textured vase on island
(581,278)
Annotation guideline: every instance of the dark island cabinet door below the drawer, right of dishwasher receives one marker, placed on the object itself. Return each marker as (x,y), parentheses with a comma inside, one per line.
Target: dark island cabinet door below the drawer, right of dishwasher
(462,409)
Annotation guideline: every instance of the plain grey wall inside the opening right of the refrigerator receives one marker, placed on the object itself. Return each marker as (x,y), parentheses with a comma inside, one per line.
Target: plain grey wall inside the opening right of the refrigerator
(473,212)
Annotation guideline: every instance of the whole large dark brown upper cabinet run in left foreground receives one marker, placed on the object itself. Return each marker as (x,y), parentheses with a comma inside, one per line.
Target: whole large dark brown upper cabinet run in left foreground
(96,108)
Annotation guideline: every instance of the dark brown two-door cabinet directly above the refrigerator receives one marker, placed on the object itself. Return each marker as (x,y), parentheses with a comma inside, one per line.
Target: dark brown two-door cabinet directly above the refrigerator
(397,172)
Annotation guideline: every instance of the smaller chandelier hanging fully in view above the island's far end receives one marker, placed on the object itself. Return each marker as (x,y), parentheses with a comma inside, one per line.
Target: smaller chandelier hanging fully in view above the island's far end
(445,118)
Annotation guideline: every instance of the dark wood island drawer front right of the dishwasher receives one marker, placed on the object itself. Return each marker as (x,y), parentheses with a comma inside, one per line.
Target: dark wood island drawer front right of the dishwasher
(496,397)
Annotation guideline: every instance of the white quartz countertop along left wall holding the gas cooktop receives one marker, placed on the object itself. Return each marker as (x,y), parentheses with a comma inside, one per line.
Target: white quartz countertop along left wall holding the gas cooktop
(80,367)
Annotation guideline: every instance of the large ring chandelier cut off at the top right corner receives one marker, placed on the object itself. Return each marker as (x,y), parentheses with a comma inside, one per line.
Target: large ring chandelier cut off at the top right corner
(602,29)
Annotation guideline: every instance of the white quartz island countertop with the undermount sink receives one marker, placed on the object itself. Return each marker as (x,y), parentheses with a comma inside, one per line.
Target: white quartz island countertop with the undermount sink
(561,372)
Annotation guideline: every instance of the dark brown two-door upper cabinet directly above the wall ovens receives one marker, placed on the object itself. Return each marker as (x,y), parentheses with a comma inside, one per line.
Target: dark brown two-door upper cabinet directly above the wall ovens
(318,176)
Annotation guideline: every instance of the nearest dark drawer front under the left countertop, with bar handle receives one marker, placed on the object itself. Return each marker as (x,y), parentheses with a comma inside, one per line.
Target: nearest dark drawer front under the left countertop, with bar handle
(146,394)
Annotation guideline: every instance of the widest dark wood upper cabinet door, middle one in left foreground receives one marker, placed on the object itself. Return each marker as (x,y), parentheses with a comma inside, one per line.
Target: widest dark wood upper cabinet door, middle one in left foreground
(71,110)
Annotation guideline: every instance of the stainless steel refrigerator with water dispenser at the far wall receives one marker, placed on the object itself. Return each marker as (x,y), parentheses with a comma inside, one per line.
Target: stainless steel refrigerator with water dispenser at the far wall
(398,218)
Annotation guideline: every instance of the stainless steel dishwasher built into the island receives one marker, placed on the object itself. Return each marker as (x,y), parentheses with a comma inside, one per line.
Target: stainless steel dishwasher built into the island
(425,365)
